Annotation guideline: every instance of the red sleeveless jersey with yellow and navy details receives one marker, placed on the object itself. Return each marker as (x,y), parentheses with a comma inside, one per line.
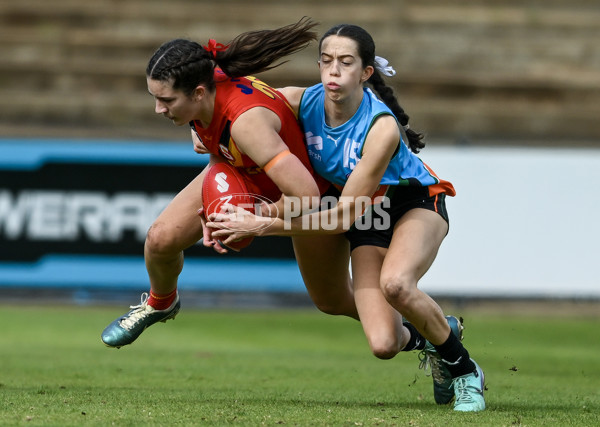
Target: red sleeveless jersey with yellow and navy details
(235,96)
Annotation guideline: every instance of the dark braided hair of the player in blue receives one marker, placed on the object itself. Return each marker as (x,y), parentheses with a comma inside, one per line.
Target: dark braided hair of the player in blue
(366,51)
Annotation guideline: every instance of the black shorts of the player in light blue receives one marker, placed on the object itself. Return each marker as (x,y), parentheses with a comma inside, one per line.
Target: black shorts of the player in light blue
(376,226)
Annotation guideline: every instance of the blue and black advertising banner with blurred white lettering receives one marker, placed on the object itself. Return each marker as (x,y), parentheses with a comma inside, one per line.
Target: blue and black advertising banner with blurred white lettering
(75,214)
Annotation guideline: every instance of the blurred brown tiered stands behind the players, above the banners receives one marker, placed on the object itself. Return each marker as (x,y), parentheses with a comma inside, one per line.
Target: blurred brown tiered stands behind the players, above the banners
(479,70)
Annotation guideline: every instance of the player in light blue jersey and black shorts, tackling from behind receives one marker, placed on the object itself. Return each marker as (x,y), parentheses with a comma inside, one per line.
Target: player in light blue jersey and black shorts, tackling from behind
(362,144)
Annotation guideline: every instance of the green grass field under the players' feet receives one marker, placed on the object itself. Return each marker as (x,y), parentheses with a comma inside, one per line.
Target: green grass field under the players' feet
(290,368)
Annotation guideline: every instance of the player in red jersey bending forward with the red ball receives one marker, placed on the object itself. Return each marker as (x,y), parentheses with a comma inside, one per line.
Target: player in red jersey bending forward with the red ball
(237,119)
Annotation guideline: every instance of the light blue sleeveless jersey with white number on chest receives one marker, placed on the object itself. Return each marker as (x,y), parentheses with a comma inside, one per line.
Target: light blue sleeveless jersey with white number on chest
(334,152)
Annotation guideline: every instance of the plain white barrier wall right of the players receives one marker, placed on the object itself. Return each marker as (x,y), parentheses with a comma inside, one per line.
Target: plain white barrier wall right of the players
(524,222)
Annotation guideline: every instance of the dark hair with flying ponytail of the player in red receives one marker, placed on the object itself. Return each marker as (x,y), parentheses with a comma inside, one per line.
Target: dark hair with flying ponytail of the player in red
(187,64)
